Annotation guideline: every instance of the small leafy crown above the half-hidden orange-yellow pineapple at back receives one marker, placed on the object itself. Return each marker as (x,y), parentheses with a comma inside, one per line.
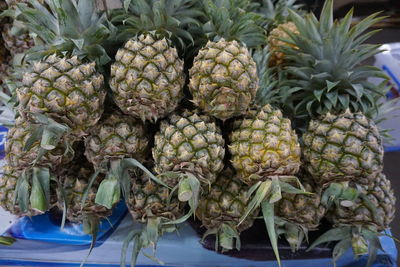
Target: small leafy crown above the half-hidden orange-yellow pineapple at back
(274,12)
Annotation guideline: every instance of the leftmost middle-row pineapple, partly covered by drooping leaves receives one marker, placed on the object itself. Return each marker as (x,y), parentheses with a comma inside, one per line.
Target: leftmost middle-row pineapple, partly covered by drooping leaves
(20,155)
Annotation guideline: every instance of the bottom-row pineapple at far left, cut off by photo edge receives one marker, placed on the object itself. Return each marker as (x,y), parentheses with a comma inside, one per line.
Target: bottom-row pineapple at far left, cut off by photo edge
(8,186)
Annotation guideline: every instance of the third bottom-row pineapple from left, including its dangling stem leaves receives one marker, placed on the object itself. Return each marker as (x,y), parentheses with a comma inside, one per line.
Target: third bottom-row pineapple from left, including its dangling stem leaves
(151,204)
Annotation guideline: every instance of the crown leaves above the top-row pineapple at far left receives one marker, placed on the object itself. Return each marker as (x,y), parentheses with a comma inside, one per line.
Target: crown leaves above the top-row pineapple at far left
(71,27)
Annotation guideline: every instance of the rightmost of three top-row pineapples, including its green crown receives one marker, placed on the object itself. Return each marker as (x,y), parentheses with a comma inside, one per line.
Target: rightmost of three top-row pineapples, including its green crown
(223,78)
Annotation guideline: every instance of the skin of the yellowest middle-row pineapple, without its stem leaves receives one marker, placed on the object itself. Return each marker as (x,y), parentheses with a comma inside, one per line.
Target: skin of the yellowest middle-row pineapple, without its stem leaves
(263,143)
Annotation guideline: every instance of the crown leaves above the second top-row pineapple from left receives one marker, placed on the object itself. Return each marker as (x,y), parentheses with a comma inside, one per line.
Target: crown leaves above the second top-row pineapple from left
(172,19)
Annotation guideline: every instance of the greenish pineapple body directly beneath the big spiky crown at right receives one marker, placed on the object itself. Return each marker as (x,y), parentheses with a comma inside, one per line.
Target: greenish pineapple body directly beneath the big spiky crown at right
(343,147)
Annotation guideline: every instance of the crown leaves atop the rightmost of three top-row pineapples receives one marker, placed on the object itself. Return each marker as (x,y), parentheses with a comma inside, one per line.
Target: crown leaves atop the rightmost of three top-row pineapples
(228,19)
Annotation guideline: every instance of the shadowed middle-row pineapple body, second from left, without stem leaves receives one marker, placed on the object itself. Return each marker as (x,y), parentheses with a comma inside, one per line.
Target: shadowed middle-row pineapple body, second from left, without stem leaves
(117,136)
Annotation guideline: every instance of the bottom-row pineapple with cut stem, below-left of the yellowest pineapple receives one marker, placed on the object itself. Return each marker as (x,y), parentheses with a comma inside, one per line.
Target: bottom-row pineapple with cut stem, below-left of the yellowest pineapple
(221,209)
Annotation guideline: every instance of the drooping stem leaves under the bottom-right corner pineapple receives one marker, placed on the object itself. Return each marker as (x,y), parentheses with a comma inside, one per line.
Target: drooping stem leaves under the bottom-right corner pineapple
(361,239)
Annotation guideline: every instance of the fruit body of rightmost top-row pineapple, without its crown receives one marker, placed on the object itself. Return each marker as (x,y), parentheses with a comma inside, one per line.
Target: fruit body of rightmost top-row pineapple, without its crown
(223,79)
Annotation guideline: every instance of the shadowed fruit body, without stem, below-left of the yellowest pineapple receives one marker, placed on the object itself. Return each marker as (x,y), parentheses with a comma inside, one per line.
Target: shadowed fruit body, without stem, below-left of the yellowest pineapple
(225,203)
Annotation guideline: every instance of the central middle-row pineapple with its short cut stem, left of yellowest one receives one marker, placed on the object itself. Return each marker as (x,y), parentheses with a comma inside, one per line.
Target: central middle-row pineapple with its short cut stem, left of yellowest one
(188,154)
